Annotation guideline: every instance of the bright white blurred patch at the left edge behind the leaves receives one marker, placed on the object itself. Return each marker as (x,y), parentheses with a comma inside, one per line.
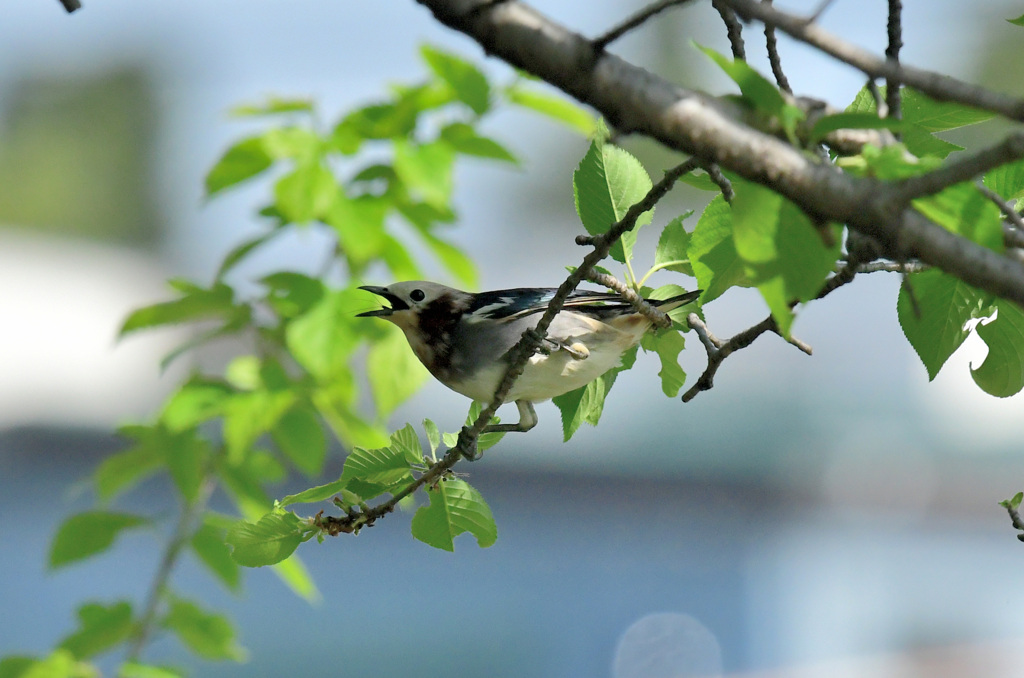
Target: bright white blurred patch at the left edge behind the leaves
(63,304)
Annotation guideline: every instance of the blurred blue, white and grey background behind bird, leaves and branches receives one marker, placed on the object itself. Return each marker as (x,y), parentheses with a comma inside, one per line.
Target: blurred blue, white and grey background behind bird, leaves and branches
(833,516)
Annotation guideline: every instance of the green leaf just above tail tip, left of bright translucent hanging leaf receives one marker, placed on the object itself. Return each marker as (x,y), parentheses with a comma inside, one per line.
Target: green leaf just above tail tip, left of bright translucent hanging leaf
(713,255)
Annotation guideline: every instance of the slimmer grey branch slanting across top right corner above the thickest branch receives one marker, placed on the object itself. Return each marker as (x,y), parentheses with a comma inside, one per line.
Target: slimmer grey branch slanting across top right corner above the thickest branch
(944,89)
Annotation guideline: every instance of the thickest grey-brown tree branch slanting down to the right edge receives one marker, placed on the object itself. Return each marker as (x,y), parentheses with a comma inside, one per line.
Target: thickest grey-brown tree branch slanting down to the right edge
(636,101)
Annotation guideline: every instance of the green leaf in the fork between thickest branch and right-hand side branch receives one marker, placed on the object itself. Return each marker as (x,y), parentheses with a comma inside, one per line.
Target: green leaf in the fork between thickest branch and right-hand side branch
(965,211)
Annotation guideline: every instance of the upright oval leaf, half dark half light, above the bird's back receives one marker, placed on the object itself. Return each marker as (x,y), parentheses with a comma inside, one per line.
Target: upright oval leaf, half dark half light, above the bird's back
(606,185)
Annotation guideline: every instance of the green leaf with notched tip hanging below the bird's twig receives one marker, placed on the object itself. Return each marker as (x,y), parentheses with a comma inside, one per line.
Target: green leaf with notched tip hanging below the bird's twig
(455,508)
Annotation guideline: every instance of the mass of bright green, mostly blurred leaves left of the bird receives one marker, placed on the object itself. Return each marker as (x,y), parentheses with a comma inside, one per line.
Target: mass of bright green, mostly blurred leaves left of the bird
(381,173)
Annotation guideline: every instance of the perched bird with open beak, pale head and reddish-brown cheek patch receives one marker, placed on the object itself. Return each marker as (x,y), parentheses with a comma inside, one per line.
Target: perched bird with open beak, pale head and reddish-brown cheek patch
(465,340)
